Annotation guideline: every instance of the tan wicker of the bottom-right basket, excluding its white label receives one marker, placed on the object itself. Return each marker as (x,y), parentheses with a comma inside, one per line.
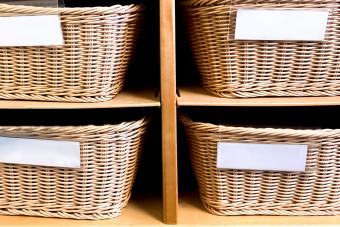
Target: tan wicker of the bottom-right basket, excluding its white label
(238,192)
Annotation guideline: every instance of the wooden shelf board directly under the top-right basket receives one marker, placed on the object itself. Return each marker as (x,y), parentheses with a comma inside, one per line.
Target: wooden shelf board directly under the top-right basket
(197,96)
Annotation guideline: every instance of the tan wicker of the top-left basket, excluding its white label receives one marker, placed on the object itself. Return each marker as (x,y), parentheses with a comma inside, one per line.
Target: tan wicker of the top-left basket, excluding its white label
(90,67)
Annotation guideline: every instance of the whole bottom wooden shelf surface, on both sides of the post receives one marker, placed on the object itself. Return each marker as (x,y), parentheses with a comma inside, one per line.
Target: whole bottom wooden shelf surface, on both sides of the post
(148,212)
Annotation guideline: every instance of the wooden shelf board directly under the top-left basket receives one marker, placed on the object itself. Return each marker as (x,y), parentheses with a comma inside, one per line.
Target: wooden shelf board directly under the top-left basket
(125,99)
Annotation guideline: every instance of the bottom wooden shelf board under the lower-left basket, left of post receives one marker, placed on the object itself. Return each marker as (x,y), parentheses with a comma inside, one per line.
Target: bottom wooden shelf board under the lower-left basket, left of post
(140,211)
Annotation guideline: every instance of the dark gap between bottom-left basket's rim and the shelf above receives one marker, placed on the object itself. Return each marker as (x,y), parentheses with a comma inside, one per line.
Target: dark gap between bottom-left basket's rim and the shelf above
(72,117)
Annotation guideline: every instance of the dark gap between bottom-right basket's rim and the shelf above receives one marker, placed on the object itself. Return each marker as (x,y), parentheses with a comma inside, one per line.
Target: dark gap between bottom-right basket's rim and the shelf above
(278,117)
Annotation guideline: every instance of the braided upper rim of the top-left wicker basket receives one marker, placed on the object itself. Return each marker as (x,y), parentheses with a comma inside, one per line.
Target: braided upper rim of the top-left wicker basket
(23,9)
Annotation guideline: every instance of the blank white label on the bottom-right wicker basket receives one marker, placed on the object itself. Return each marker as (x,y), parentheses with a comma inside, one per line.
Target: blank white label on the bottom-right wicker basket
(267,157)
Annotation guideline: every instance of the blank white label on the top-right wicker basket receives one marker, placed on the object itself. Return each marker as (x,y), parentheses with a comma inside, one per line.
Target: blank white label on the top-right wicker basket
(281,24)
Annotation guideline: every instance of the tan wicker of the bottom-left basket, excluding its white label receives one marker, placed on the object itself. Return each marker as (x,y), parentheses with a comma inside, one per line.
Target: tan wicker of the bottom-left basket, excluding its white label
(100,189)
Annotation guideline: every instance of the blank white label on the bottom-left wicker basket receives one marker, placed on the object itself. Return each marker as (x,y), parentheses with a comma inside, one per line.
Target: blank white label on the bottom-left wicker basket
(53,153)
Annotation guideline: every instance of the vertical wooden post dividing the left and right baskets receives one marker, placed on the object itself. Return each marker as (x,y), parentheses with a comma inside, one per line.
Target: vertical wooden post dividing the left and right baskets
(169,112)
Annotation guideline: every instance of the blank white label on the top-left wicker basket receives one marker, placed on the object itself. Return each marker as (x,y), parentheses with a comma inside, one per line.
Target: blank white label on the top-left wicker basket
(42,30)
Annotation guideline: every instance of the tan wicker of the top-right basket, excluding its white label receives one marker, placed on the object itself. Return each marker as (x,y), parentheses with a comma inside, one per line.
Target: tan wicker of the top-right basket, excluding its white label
(232,68)
